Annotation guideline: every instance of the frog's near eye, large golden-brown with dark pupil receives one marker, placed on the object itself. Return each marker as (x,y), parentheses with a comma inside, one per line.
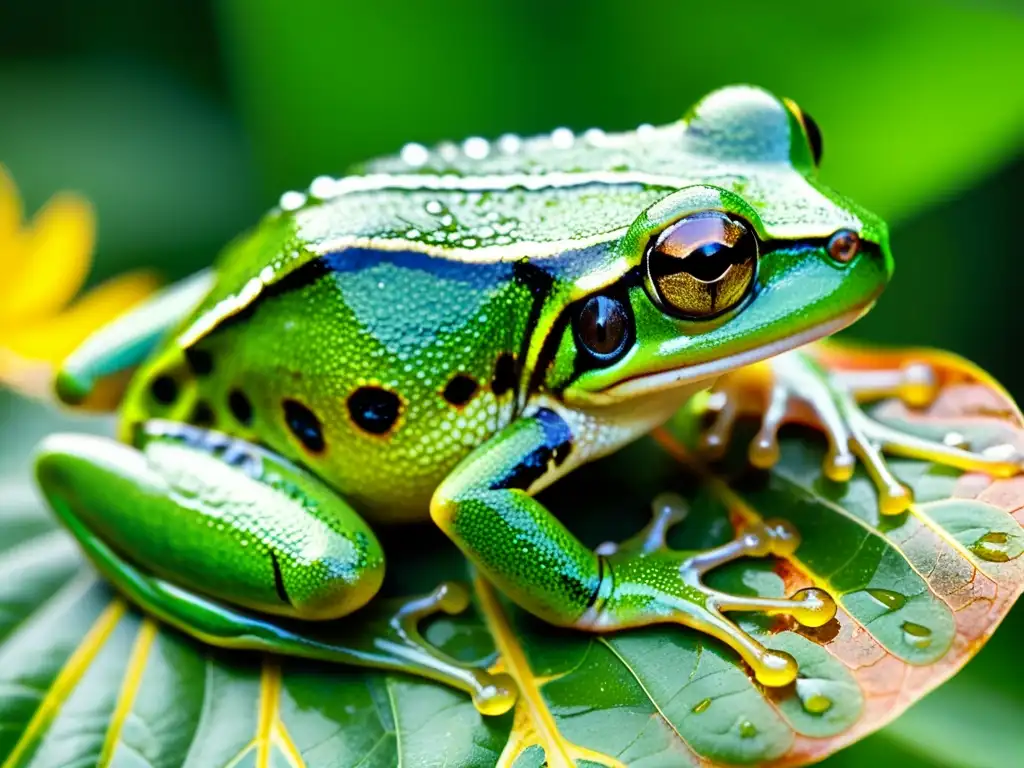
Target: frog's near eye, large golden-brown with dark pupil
(702,266)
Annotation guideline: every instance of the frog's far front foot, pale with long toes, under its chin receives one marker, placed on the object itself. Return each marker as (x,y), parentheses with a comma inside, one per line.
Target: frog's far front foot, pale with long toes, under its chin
(793,389)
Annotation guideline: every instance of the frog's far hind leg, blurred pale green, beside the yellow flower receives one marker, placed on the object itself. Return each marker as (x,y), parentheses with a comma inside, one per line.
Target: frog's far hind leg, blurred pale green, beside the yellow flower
(127,342)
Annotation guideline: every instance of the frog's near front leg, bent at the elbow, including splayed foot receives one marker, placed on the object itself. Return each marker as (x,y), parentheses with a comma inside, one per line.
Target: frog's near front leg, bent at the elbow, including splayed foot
(487,507)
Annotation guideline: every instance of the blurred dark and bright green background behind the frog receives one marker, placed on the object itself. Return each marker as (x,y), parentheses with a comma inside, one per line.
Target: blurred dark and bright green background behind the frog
(184,120)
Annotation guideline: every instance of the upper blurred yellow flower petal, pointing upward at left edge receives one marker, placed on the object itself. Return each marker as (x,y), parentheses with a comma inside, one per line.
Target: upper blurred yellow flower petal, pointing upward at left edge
(56,253)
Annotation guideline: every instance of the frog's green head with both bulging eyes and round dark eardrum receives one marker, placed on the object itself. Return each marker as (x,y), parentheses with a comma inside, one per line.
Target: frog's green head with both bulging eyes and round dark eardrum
(753,260)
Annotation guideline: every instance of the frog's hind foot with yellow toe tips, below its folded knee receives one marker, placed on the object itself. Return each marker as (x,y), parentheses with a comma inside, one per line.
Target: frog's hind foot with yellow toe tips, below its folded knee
(493,694)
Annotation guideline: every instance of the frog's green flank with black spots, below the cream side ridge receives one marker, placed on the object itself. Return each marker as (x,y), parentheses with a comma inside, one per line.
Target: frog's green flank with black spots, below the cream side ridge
(378,370)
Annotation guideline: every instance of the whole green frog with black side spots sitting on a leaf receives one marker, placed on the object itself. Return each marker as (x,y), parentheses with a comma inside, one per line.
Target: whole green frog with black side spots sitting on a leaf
(442,334)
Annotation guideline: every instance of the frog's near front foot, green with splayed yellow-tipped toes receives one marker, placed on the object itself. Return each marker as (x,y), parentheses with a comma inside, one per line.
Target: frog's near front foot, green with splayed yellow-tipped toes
(651,584)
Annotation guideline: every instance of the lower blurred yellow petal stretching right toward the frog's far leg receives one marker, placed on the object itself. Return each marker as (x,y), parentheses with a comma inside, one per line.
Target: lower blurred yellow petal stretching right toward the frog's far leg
(30,348)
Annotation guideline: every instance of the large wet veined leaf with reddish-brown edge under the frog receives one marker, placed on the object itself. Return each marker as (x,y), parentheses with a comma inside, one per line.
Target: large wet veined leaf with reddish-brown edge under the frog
(86,679)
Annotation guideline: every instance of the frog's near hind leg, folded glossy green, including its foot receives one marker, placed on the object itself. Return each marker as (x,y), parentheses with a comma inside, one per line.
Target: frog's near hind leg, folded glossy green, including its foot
(212,534)
